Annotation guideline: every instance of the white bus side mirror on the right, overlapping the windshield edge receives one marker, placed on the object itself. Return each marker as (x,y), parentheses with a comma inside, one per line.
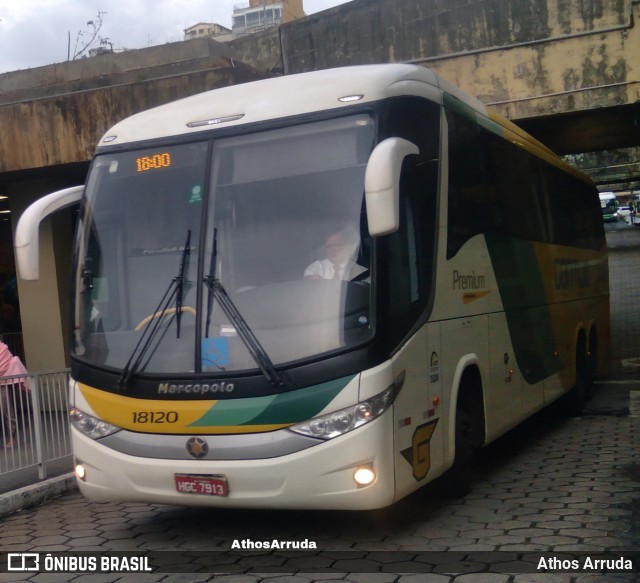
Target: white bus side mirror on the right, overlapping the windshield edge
(382,184)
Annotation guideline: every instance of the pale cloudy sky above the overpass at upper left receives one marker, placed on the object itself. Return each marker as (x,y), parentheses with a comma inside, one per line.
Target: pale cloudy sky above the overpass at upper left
(34,33)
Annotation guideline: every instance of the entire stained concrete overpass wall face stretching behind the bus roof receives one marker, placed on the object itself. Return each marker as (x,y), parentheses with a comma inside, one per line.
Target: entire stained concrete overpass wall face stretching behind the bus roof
(526,57)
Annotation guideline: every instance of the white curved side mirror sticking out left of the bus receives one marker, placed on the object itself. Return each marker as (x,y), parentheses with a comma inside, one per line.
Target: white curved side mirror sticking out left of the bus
(27,238)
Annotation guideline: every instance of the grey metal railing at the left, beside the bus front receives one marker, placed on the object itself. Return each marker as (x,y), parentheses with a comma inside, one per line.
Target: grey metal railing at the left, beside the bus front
(37,406)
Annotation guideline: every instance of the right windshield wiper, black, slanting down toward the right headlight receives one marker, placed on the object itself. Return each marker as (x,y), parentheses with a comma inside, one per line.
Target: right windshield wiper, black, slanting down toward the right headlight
(216,289)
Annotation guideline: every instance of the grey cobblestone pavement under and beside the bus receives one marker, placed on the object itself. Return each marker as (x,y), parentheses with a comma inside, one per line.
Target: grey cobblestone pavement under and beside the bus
(553,485)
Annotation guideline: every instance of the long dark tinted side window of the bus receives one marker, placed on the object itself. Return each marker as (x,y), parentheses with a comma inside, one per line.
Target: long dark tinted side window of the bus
(498,188)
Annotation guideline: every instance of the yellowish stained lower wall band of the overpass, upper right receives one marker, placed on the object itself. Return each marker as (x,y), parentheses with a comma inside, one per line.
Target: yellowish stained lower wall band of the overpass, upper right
(586,59)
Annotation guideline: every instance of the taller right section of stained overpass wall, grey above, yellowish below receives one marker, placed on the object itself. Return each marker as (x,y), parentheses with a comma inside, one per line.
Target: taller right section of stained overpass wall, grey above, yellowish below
(527,57)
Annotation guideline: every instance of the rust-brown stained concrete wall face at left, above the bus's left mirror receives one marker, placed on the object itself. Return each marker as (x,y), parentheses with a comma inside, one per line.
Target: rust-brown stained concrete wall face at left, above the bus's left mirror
(65,127)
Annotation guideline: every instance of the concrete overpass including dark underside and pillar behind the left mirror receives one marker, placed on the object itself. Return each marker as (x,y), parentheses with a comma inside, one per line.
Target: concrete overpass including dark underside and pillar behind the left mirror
(565,70)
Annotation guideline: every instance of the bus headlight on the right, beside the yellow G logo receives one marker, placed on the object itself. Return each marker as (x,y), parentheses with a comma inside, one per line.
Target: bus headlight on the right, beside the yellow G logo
(340,422)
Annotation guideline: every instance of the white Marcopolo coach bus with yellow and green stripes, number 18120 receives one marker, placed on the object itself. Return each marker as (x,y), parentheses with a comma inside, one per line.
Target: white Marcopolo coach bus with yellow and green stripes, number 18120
(320,291)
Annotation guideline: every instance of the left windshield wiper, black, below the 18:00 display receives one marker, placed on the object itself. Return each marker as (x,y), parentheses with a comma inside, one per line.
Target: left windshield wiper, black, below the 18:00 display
(175,290)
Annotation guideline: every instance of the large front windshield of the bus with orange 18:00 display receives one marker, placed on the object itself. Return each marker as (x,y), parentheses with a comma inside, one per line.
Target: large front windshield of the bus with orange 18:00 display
(271,223)
